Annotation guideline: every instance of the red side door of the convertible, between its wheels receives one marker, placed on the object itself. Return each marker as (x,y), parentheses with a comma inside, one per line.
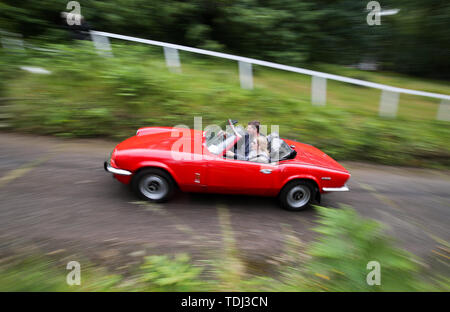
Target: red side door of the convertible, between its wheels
(226,175)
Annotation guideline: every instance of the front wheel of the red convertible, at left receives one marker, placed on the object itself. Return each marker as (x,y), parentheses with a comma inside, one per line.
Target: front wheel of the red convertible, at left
(154,185)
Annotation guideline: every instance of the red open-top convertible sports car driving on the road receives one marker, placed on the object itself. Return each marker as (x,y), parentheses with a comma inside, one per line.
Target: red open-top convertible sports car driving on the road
(153,163)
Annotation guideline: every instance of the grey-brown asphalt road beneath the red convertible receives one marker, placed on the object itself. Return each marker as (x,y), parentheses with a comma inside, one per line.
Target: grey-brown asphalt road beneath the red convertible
(55,194)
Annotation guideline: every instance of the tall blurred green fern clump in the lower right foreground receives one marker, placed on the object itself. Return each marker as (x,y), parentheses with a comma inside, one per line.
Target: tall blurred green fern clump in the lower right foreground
(347,243)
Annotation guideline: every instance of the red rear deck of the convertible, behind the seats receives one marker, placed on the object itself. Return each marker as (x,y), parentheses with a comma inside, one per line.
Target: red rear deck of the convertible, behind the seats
(308,154)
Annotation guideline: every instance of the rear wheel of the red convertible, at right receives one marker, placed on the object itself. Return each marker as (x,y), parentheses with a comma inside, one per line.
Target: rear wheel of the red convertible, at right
(297,195)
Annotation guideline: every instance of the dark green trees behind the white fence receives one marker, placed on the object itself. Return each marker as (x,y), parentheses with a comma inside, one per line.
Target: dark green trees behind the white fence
(293,32)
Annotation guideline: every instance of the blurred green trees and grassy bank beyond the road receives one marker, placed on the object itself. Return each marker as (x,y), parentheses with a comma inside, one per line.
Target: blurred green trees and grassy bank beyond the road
(89,95)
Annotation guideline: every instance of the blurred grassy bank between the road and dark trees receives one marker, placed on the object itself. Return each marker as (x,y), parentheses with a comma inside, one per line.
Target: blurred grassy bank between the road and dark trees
(91,96)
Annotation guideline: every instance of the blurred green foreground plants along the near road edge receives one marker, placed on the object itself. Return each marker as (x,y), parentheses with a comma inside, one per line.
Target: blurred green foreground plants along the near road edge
(335,262)
